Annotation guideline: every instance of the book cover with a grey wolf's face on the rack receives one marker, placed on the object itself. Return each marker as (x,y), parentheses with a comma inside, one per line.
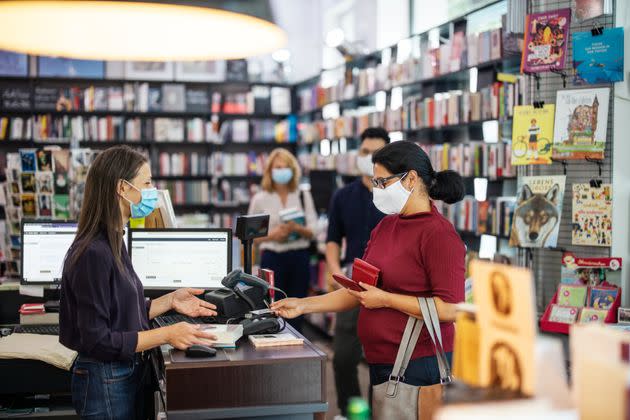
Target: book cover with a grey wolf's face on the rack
(536,220)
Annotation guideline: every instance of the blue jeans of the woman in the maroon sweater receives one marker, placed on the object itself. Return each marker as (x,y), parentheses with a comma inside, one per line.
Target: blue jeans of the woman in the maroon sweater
(420,372)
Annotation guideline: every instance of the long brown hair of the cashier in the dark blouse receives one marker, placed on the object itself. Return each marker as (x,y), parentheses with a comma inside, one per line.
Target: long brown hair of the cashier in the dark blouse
(100,210)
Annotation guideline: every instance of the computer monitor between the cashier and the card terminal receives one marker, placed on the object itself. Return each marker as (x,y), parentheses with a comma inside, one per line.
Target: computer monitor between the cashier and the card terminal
(174,258)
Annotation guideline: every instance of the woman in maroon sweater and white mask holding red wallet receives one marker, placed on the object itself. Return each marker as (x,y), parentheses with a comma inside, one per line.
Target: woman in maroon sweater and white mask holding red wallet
(419,254)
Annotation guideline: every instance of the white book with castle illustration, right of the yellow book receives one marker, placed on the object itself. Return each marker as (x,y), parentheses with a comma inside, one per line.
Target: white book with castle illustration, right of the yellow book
(581,123)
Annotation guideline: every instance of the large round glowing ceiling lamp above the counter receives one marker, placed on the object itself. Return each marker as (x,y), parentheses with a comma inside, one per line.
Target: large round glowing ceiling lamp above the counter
(138,31)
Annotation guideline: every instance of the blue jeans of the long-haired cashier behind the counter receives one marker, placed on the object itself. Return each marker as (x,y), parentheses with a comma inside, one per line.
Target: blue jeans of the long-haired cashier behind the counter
(108,390)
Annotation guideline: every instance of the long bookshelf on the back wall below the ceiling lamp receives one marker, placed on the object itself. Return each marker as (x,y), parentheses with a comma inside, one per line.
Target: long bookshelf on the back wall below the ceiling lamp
(207,142)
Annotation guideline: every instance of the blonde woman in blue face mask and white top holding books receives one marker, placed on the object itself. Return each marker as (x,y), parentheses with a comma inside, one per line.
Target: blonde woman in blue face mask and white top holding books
(285,249)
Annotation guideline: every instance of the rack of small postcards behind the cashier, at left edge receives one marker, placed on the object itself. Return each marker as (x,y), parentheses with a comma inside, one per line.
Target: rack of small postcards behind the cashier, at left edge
(42,184)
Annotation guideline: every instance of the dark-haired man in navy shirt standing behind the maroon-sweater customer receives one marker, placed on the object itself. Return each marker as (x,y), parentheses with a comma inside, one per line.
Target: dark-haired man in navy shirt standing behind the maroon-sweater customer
(352,216)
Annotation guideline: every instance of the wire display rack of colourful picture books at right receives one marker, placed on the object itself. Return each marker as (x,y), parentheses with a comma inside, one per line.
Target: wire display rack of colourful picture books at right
(566,134)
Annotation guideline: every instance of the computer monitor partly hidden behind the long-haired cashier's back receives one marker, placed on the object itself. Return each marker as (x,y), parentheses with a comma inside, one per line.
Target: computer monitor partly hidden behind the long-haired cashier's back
(44,247)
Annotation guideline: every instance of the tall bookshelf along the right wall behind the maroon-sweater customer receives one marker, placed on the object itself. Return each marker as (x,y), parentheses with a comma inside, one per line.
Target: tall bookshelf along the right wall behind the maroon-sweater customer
(455,95)
